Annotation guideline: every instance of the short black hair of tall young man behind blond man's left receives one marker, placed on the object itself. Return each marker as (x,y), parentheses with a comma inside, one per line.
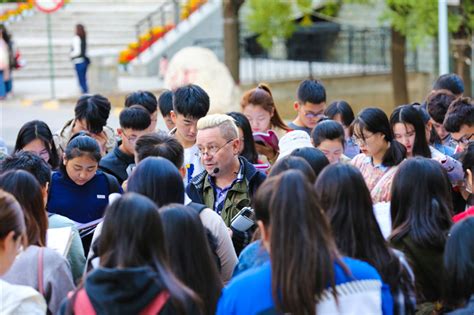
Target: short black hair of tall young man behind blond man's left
(191,101)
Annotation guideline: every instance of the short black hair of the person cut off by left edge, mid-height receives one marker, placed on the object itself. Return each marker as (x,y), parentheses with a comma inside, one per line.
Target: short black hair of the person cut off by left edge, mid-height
(30,162)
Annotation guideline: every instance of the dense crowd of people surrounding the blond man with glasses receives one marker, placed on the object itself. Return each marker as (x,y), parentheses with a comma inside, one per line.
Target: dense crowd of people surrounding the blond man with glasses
(346,214)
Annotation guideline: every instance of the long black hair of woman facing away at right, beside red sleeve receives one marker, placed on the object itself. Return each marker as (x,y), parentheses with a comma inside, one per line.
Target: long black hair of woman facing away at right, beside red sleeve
(421,203)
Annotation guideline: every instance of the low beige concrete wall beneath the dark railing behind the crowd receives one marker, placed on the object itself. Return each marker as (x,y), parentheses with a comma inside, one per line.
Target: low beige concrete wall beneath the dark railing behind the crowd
(360,91)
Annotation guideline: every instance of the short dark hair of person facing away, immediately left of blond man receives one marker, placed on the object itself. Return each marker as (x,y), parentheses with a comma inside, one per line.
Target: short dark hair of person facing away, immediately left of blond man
(160,144)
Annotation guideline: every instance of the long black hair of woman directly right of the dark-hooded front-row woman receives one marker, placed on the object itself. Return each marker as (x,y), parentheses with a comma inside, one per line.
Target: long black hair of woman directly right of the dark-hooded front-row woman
(191,258)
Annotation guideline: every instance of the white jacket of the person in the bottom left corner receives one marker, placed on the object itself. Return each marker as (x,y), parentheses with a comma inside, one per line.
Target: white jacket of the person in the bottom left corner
(20,299)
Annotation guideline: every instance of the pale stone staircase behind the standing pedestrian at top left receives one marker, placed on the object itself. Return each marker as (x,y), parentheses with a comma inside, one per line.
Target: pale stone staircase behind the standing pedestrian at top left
(110,24)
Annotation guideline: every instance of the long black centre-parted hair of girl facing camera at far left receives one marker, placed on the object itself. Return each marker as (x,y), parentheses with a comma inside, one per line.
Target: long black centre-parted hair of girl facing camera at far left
(37,129)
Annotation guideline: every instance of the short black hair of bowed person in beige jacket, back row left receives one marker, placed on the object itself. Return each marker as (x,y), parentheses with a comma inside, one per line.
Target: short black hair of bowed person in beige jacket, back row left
(95,110)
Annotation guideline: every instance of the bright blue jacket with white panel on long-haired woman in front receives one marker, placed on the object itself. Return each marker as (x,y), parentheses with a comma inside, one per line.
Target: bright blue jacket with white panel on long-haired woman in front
(362,292)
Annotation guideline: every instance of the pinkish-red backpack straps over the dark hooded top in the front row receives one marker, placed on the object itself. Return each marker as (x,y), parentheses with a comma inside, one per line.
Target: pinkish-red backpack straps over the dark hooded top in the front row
(82,304)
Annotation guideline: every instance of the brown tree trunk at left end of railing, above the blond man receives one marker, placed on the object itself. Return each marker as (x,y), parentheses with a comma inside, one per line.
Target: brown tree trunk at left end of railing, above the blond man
(231,37)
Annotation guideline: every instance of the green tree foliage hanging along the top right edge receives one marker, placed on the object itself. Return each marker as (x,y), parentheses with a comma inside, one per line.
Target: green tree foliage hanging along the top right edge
(415,19)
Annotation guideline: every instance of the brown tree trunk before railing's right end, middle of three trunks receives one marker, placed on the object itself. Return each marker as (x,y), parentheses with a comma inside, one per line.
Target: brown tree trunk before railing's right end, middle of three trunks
(399,75)
